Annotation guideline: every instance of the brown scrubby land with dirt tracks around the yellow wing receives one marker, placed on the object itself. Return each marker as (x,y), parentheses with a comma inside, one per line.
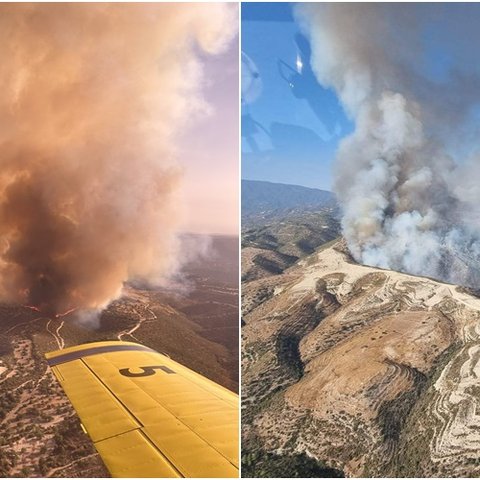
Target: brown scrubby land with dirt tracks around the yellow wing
(197,325)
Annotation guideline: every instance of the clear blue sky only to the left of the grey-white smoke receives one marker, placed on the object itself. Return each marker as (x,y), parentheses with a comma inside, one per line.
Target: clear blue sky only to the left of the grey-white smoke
(291,128)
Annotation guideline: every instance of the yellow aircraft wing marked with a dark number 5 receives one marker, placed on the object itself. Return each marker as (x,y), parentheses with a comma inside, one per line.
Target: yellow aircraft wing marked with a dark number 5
(147,415)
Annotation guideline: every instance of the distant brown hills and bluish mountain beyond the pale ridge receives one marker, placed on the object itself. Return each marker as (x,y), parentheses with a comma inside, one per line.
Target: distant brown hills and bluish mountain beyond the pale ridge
(283,223)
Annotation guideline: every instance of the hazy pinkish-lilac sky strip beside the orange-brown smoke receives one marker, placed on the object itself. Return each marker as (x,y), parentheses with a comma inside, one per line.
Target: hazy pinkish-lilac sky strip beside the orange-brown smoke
(209,150)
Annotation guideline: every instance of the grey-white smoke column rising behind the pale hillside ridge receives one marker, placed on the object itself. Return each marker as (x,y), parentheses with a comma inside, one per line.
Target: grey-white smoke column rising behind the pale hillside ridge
(408,193)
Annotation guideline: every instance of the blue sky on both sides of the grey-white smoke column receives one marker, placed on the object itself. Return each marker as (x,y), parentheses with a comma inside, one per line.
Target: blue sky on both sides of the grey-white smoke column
(291,126)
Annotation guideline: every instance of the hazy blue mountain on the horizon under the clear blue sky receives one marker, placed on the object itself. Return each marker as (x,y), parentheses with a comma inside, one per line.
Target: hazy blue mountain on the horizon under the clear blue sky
(266,197)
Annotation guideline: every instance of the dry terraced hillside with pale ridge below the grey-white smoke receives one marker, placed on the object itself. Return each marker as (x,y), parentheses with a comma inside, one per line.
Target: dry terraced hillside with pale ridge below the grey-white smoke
(368,371)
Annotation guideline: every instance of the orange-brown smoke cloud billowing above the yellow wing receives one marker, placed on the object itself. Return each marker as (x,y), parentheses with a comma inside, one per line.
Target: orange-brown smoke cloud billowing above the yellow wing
(92,98)
